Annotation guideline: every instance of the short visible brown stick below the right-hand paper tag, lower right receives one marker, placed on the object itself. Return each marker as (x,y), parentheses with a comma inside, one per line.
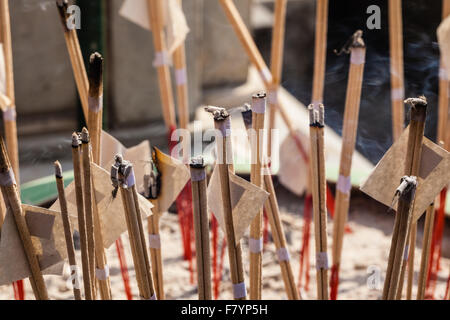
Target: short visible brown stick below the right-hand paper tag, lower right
(426,245)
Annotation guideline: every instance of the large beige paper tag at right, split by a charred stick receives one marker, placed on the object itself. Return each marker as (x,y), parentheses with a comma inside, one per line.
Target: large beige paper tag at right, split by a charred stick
(433,177)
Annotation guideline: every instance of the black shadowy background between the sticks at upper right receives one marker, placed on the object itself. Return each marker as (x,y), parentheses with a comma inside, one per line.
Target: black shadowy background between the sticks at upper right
(421,53)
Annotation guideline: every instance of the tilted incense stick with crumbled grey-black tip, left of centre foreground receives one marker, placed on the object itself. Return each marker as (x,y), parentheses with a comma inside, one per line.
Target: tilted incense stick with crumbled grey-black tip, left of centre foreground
(124,179)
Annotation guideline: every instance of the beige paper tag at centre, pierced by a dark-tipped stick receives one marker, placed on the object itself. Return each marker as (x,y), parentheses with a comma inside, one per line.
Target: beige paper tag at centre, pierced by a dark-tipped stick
(246,199)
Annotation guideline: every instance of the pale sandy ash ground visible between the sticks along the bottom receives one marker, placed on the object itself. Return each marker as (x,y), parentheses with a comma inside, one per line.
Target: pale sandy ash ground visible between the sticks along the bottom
(366,248)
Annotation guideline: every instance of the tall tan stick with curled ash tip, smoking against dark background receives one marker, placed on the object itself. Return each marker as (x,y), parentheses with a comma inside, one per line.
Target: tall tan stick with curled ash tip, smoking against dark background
(350,127)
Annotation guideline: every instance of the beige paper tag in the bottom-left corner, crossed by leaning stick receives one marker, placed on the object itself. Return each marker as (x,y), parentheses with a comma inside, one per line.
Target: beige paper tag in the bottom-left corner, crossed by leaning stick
(47,235)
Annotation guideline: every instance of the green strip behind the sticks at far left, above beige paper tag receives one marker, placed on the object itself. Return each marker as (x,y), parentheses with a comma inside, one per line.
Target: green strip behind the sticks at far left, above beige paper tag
(42,190)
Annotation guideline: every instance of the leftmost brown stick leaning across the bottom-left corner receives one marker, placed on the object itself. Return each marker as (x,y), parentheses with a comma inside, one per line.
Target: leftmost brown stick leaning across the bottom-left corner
(11,196)
